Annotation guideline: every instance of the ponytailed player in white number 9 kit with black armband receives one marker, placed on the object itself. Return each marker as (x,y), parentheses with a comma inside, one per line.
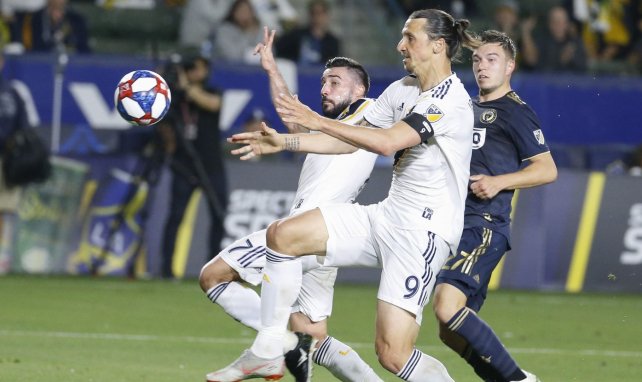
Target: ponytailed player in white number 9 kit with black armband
(410,233)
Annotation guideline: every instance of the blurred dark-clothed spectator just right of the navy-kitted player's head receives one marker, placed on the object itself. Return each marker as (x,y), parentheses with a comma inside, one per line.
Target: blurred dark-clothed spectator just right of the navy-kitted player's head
(559,48)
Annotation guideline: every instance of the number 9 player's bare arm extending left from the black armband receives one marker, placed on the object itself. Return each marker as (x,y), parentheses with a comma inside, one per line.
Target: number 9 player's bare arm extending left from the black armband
(380,141)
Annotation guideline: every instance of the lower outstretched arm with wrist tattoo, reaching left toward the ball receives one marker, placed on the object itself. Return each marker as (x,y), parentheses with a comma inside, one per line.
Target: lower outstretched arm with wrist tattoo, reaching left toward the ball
(269,141)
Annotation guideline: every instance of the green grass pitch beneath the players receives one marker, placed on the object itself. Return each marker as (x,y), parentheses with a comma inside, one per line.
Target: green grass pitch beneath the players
(66,329)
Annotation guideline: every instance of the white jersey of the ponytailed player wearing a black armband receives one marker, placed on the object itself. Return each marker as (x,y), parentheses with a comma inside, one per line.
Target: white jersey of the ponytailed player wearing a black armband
(430,180)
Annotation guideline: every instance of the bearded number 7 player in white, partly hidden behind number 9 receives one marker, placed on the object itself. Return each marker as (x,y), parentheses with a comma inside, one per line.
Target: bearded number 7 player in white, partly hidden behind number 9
(324,179)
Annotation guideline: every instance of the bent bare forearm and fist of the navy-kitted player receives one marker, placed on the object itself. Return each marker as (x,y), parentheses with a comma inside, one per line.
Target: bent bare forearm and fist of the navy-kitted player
(540,170)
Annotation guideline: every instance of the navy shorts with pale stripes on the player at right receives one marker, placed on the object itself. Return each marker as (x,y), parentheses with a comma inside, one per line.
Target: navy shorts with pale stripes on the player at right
(479,252)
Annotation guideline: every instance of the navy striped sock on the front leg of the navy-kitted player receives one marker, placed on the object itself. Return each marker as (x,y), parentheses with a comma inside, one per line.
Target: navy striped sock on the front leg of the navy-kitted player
(485,343)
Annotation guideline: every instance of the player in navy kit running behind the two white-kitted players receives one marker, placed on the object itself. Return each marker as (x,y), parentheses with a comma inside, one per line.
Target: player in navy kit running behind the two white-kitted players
(509,153)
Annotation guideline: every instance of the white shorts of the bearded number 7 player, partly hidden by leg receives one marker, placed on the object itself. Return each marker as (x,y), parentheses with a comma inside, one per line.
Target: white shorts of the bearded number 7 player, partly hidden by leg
(247,257)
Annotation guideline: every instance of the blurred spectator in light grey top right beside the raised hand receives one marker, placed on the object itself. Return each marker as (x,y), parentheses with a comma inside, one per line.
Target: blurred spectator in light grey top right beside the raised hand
(239,33)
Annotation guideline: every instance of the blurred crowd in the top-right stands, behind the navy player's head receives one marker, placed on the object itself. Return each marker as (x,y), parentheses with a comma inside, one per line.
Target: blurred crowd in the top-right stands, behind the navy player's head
(563,35)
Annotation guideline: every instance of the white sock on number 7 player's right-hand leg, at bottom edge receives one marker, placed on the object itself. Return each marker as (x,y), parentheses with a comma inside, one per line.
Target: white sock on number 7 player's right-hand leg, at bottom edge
(343,362)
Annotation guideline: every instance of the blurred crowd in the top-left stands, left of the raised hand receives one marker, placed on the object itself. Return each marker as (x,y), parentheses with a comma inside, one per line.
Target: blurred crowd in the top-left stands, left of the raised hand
(222,29)
